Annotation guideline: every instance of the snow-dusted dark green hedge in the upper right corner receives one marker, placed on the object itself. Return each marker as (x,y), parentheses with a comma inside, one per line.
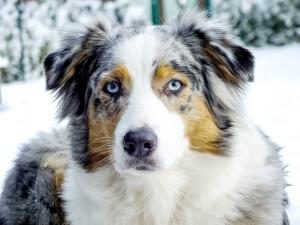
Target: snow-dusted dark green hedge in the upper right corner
(274,22)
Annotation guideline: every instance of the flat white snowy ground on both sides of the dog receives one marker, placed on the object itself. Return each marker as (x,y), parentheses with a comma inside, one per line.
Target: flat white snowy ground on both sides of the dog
(273,102)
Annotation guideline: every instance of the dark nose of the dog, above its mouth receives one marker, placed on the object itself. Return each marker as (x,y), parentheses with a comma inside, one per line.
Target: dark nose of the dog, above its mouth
(140,143)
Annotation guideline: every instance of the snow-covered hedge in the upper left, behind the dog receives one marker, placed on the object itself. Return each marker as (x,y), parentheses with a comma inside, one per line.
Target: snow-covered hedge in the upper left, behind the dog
(43,21)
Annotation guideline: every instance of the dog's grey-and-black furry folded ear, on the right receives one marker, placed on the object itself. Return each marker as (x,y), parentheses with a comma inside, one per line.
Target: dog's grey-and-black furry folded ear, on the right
(209,41)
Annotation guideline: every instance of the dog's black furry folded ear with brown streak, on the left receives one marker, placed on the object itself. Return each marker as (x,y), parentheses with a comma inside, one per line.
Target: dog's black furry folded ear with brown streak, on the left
(68,70)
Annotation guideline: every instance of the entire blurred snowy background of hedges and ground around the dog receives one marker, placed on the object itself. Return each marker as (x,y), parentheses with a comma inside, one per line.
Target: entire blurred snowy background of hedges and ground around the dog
(30,29)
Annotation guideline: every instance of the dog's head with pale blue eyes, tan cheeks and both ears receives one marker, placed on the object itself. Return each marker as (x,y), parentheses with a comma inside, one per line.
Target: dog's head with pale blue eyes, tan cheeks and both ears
(142,97)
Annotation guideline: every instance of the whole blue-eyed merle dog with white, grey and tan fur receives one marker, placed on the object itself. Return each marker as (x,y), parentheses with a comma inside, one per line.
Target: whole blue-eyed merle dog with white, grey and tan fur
(157,134)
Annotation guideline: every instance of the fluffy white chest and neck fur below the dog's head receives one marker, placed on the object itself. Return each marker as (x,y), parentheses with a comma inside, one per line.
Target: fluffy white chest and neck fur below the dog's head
(200,189)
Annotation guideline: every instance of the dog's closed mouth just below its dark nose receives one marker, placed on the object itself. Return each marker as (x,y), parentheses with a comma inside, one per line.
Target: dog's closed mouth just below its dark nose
(146,165)
